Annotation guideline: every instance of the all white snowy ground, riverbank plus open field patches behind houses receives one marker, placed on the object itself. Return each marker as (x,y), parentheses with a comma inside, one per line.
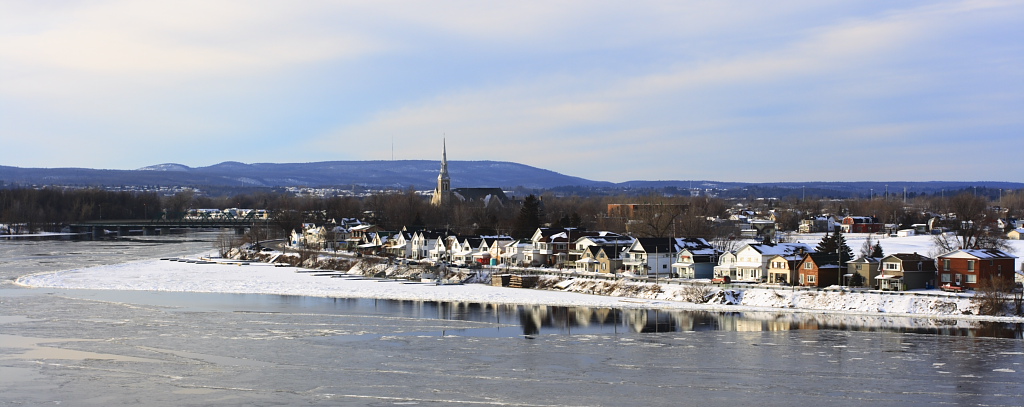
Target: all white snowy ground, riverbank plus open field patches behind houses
(232,277)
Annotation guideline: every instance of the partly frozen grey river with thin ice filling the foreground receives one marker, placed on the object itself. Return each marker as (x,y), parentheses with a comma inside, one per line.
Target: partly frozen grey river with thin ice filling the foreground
(95,348)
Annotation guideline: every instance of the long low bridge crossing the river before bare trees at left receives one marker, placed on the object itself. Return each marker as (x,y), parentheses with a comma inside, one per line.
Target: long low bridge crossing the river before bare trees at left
(159,227)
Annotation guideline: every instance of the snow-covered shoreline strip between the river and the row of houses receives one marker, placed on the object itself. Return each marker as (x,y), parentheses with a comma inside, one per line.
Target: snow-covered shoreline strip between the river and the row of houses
(257,278)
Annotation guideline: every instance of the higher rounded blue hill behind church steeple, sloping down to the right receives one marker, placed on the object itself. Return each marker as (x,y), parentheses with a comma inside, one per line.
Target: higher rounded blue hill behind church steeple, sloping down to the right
(419,174)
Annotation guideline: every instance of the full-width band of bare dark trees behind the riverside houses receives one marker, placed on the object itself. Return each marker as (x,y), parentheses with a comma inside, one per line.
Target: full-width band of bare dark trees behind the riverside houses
(656,215)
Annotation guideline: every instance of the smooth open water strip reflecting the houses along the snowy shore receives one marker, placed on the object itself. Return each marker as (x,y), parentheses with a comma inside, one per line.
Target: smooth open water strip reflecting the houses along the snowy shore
(535,320)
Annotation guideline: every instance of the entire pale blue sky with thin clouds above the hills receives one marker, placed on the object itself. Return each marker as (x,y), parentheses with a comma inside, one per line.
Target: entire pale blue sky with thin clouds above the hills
(787,91)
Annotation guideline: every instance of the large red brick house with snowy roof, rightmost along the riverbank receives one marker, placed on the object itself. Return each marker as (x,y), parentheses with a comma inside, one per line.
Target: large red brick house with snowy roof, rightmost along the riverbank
(968,268)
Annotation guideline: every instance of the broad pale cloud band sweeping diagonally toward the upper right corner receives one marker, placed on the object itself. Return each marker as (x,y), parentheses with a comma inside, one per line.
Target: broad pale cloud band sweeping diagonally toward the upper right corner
(818,88)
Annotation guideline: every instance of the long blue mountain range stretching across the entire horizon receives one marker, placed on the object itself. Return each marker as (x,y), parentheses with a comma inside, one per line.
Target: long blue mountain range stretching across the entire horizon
(422,175)
